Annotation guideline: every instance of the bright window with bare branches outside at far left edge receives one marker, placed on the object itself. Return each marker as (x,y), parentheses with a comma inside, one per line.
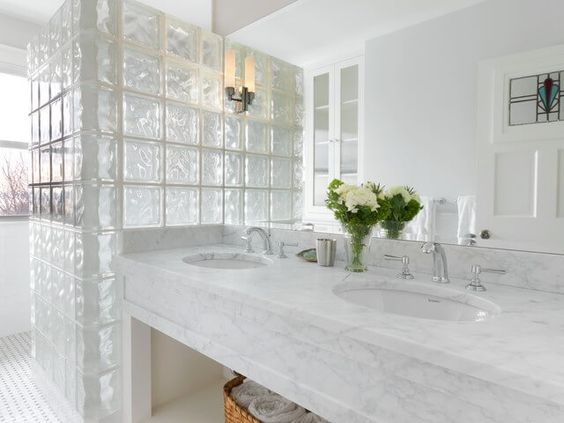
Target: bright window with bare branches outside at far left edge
(14,157)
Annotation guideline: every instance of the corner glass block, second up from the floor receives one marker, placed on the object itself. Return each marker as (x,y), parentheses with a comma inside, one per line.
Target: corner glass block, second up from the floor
(97,347)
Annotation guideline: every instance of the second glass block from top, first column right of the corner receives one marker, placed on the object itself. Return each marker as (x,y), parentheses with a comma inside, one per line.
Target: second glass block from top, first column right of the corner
(141,72)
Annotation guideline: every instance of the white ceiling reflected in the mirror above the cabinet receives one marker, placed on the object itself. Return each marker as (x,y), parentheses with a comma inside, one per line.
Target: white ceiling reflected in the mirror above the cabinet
(310,31)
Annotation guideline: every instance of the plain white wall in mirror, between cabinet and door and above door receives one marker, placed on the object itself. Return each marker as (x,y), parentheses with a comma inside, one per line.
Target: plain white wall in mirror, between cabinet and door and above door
(421,90)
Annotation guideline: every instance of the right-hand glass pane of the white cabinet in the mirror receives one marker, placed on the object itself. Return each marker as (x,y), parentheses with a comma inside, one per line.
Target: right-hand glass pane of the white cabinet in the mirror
(348,124)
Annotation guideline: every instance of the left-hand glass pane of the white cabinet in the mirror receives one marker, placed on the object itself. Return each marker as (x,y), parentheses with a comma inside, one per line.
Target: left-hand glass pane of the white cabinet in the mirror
(321,136)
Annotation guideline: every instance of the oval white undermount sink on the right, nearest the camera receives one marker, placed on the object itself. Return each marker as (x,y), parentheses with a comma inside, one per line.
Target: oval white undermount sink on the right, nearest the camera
(421,301)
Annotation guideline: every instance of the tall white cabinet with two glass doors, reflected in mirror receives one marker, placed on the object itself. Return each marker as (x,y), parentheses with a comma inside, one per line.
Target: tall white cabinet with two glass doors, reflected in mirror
(333,143)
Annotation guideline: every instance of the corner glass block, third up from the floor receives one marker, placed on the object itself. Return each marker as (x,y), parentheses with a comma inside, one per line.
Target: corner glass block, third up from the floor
(97,301)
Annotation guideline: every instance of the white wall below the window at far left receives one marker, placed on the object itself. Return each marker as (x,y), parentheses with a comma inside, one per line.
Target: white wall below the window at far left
(15,303)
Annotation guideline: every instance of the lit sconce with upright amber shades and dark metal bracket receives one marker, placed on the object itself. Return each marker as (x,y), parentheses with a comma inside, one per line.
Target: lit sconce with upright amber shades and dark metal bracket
(246,94)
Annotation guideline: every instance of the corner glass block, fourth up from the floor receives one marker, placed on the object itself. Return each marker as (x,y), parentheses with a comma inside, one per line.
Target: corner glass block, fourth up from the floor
(93,254)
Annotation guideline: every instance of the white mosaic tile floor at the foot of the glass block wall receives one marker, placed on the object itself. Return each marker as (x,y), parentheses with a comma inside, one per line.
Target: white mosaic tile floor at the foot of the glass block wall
(20,399)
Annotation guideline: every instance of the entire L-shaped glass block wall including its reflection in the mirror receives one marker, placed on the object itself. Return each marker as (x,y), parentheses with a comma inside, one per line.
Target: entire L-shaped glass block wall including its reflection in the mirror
(130,130)
